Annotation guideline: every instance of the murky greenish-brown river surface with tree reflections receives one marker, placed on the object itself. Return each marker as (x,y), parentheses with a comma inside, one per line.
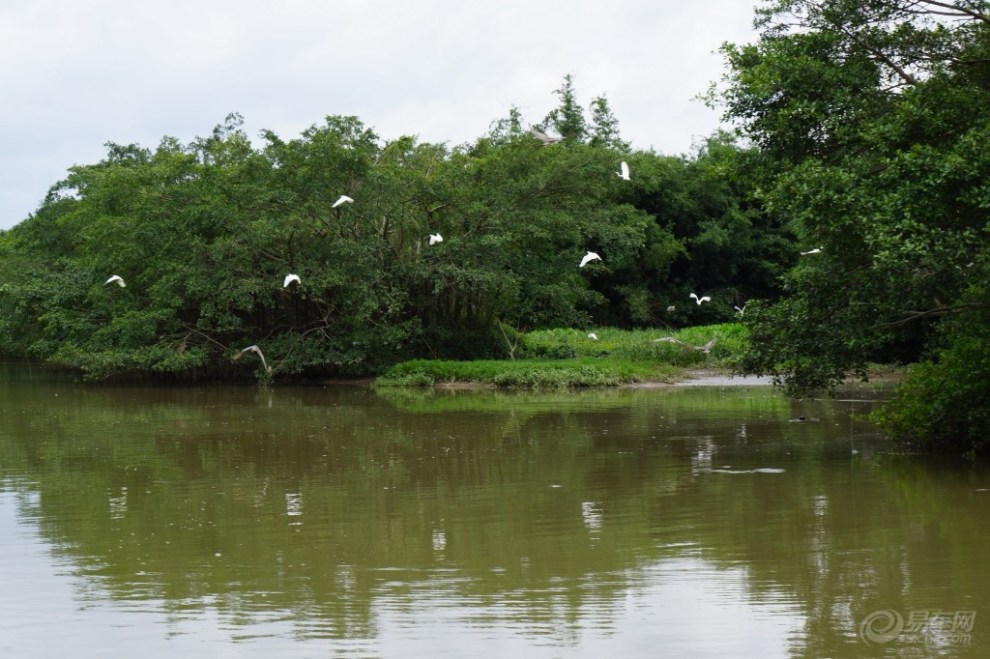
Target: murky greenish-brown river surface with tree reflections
(325,521)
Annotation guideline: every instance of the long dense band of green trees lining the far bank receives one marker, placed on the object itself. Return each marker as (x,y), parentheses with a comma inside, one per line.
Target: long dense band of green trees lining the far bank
(203,234)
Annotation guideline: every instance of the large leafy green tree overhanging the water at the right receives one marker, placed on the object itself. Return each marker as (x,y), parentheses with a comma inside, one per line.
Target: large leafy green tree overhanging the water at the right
(873,121)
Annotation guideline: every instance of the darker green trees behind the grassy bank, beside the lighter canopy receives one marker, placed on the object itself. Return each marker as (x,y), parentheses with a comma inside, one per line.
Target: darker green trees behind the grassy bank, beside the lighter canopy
(708,236)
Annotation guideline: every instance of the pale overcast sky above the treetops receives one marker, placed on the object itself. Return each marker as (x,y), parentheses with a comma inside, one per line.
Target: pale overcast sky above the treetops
(77,74)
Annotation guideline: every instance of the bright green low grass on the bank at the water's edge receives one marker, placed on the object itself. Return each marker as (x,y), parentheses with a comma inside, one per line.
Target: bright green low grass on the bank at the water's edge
(563,358)
